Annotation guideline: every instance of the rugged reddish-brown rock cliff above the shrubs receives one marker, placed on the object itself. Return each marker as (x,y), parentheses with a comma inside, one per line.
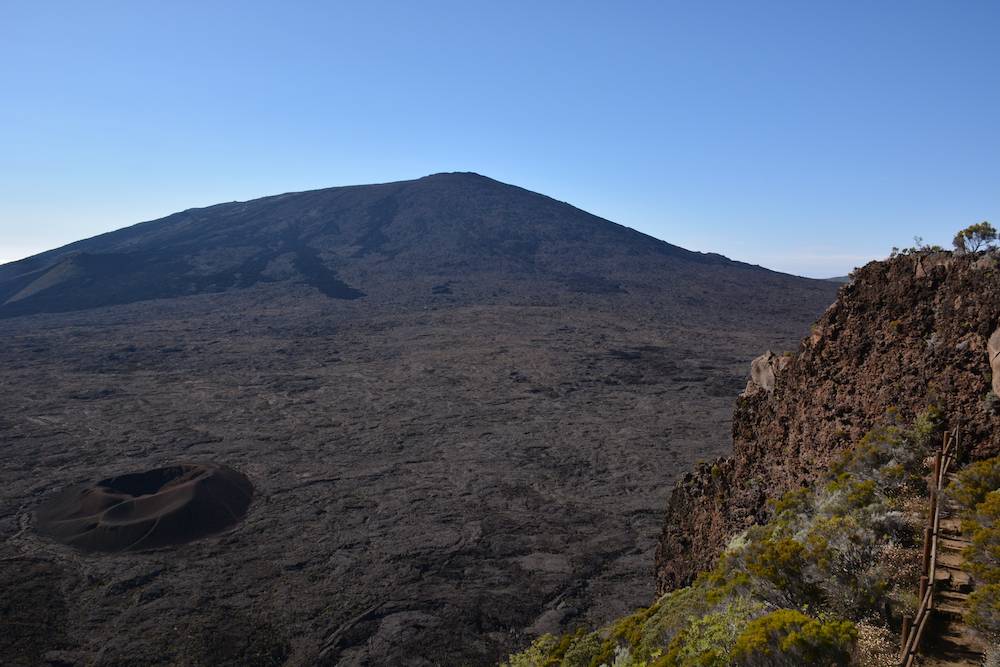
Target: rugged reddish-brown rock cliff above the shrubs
(907,332)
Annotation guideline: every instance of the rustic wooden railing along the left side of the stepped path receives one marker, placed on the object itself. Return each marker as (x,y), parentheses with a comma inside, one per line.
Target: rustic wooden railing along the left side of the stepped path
(913,629)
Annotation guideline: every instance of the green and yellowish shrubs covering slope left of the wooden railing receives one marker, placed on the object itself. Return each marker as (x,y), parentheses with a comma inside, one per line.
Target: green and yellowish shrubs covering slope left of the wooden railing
(821,583)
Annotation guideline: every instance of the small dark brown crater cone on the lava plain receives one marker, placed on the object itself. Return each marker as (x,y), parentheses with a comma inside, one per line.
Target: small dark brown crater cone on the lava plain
(147,510)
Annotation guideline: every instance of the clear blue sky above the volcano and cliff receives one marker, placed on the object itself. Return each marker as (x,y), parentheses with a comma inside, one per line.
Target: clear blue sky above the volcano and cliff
(804,136)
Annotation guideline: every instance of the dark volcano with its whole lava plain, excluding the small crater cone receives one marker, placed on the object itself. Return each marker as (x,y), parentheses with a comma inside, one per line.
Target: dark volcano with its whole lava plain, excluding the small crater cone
(460,404)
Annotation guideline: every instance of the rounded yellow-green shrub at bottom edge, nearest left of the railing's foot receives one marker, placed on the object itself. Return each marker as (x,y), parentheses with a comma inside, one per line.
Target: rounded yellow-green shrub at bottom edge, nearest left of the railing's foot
(789,637)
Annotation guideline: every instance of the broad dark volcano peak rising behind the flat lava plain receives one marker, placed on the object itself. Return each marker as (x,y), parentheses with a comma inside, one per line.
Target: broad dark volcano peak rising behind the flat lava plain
(459,234)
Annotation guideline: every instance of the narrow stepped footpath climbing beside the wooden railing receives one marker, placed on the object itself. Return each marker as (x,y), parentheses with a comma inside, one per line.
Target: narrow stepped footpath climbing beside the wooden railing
(950,642)
